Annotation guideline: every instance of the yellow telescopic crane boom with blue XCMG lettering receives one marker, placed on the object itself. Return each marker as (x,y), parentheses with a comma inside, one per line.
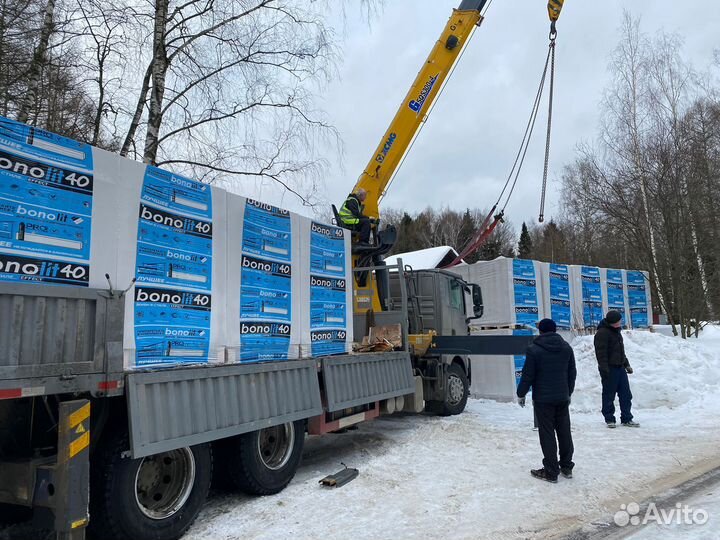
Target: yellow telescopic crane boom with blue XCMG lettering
(416,106)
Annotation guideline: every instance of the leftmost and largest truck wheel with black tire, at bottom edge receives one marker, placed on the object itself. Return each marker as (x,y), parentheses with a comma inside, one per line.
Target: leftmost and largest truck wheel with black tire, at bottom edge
(153,498)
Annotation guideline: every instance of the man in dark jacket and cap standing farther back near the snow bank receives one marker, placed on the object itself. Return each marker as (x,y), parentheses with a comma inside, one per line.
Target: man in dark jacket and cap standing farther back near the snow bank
(614,369)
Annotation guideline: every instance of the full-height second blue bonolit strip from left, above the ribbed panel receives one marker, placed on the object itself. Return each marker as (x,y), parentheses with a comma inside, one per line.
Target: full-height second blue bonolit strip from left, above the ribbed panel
(174,252)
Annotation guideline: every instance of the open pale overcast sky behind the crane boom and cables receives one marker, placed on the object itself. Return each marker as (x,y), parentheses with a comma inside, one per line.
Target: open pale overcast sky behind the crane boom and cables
(467,146)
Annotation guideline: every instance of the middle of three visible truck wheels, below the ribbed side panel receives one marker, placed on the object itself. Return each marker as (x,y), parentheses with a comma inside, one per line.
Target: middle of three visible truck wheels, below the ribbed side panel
(266,460)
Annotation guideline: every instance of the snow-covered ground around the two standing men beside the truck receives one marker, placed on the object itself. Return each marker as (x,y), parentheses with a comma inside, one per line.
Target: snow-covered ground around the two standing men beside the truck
(468,476)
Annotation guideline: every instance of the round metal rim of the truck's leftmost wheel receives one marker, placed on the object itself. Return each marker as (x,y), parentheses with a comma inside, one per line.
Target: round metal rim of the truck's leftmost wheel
(163,483)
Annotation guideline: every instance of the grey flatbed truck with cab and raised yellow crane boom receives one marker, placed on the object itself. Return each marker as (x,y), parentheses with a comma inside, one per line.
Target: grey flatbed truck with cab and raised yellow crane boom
(132,453)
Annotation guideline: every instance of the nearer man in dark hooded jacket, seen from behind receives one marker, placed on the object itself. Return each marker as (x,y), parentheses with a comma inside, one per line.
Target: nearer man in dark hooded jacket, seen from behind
(550,371)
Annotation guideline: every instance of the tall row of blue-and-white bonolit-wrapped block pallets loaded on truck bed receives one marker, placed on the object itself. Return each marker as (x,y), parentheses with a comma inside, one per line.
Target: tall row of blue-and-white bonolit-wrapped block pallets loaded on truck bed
(210,276)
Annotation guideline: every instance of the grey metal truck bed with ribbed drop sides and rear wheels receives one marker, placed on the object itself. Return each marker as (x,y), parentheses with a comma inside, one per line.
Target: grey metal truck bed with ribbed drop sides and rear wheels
(65,400)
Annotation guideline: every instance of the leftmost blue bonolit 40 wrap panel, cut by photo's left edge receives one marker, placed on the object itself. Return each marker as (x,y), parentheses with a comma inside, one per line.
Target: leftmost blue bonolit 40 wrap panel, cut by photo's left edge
(46,198)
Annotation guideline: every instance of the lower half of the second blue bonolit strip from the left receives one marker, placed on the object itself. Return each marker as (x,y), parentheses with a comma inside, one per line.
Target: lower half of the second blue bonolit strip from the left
(171,326)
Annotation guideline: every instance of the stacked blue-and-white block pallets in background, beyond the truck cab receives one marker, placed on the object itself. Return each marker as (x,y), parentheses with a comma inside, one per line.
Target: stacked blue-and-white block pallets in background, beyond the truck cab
(519,293)
